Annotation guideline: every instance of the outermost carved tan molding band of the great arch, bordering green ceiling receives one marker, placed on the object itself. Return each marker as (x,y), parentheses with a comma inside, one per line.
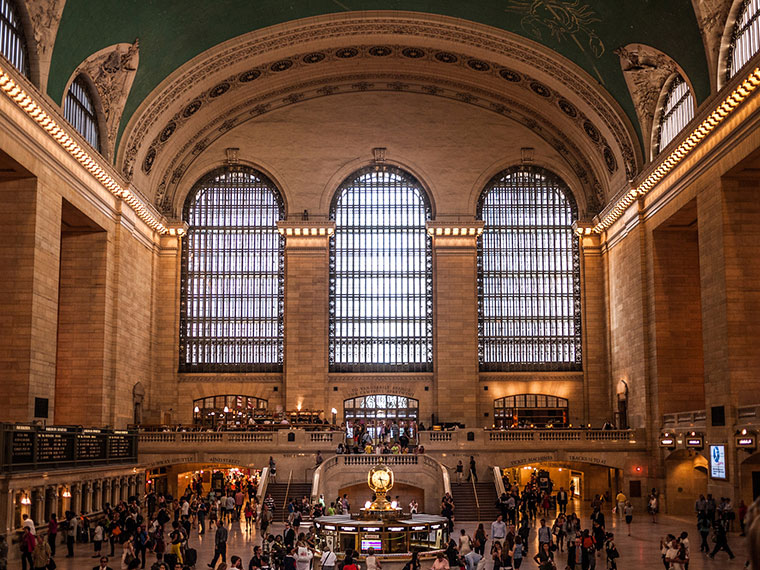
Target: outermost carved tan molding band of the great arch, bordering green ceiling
(181,85)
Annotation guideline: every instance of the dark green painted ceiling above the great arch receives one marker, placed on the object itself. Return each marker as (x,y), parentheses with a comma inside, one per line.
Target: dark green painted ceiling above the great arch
(171,32)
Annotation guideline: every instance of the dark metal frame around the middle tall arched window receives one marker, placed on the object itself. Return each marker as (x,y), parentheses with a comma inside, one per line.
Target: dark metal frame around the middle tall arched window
(334,342)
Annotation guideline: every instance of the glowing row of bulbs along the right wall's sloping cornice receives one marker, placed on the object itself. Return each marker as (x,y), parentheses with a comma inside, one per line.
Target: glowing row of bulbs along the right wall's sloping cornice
(715,118)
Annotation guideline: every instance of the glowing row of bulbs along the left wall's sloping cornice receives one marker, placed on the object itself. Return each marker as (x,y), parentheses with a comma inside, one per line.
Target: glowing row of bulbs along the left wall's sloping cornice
(31,108)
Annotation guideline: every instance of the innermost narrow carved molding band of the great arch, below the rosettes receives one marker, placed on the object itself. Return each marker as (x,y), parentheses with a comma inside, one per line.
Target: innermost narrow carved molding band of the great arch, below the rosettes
(167,199)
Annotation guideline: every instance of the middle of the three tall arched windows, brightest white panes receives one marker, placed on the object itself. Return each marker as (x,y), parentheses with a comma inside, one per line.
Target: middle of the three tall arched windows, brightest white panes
(381,310)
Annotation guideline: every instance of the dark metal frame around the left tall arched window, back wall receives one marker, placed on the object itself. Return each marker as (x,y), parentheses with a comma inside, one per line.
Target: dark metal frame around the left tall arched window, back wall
(245,367)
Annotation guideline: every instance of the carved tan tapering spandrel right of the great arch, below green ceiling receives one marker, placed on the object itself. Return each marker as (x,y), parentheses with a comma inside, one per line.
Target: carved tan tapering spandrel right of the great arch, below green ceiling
(646,70)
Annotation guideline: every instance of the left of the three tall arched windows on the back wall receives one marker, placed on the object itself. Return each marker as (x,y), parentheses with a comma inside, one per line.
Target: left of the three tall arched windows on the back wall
(232,281)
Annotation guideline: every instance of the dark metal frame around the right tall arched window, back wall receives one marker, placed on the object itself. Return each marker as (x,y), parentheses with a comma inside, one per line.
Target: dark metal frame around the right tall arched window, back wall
(502,346)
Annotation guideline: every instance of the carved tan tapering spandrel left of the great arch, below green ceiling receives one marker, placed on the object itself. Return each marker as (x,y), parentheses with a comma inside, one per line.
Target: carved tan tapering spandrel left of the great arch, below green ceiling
(112,71)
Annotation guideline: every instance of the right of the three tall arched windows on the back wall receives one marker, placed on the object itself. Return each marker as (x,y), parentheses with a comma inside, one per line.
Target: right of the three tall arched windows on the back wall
(528,274)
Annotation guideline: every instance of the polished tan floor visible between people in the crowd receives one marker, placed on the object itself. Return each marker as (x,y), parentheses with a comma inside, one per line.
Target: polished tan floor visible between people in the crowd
(640,551)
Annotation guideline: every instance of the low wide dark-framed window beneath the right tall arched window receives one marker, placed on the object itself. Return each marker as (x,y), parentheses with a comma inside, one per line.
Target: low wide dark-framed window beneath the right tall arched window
(525,410)
